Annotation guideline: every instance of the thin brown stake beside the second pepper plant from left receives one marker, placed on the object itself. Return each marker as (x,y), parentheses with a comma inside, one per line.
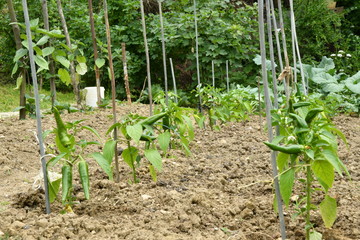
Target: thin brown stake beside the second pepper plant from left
(112,75)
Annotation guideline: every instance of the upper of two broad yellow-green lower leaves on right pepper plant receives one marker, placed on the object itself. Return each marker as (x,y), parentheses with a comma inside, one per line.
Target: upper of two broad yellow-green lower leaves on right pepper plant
(324,172)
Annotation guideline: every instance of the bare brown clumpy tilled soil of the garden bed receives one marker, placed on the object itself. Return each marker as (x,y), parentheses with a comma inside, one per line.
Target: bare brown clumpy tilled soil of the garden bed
(222,191)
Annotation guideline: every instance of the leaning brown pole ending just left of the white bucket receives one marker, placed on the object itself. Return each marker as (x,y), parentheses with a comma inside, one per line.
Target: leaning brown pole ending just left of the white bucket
(68,43)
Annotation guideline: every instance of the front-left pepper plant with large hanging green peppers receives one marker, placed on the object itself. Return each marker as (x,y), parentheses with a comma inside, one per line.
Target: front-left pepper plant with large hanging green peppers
(70,156)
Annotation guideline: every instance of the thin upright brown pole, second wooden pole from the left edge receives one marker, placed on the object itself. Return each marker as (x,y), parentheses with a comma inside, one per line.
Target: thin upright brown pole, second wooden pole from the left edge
(45,13)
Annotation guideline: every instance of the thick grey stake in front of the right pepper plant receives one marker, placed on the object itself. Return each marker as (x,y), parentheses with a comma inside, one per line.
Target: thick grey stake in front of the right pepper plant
(268,116)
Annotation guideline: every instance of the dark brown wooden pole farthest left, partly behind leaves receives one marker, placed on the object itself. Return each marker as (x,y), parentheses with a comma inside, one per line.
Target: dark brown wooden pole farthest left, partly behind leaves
(16,30)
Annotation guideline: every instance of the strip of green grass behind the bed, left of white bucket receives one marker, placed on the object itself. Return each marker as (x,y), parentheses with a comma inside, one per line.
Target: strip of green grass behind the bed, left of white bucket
(9,98)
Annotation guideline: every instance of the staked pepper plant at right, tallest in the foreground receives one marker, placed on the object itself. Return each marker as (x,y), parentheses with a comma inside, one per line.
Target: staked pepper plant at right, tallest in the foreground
(308,153)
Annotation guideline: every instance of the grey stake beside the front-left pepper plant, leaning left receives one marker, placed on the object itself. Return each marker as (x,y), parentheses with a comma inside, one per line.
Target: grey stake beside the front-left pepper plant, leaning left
(37,104)
